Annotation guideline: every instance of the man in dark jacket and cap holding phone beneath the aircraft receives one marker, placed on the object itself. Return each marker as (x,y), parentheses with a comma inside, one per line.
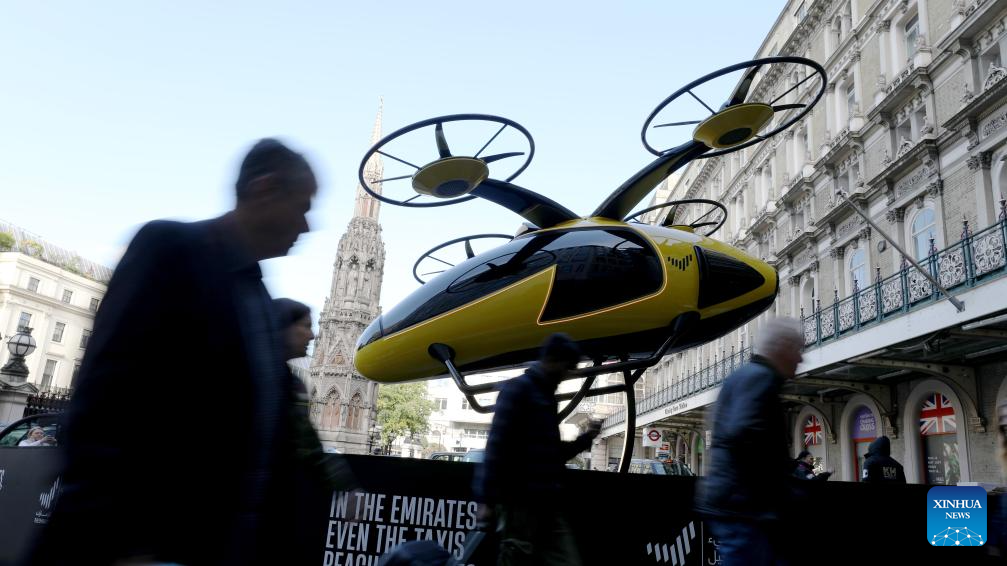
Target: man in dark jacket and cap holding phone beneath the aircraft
(520,479)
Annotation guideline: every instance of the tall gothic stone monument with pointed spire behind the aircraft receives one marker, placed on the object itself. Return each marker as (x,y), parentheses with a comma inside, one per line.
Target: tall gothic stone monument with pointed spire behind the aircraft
(344,402)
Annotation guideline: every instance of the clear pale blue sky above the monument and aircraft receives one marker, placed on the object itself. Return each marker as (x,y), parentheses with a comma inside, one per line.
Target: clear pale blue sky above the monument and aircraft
(113,114)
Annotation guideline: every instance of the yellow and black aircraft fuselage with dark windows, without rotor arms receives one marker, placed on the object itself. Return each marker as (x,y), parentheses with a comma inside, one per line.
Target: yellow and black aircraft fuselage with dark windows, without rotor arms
(613,287)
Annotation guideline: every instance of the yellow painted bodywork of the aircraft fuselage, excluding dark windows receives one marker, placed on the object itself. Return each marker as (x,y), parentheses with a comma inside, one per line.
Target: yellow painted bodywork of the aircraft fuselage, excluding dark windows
(510,320)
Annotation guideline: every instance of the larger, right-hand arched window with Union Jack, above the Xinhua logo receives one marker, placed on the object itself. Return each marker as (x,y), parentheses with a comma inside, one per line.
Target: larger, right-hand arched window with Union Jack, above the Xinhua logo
(939,430)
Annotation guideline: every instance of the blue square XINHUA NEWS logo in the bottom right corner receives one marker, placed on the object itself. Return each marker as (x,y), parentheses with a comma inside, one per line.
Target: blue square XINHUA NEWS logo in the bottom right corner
(956,516)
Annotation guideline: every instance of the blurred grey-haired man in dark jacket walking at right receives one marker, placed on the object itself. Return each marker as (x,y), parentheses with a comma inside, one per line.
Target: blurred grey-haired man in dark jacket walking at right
(750,468)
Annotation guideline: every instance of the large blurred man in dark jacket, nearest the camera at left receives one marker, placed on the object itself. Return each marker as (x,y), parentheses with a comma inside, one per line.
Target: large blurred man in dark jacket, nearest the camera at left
(186,342)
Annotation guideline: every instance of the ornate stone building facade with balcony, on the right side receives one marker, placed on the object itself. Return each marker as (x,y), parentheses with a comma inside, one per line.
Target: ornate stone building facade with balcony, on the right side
(914,127)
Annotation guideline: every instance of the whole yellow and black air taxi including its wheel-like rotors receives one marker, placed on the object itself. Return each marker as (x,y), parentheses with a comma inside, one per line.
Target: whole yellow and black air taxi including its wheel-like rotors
(621,290)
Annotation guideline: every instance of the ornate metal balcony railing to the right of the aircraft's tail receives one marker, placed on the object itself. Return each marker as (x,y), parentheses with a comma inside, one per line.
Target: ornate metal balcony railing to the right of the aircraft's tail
(972,261)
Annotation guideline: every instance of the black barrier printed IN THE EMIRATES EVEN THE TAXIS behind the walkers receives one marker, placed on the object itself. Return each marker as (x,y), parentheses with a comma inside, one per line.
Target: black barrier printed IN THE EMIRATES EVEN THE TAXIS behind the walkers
(617,519)
